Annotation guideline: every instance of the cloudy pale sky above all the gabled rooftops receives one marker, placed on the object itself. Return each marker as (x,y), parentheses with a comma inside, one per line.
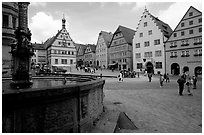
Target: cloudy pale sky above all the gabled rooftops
(84,20)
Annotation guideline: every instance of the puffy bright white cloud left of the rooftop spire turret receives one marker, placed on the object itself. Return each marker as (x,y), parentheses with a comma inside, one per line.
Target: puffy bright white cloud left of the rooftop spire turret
(43,26)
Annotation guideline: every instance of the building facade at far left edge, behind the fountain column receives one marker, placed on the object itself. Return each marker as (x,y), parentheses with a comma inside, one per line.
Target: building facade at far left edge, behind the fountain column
(9,24)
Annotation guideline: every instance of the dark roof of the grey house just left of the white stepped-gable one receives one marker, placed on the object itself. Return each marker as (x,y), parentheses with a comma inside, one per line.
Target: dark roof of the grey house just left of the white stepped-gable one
(127,33)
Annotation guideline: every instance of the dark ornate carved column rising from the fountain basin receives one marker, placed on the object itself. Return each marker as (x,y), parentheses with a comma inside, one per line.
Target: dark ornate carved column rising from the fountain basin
(22,50)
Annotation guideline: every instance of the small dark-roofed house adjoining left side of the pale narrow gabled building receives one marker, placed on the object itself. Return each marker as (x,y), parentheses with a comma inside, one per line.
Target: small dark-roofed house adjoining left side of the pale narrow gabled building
(90,55)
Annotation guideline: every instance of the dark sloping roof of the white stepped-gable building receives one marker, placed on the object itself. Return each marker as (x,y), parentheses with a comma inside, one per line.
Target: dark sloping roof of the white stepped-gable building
(165,28)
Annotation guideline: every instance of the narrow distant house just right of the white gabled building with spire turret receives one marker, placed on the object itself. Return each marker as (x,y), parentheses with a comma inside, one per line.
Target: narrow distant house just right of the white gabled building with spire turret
(80,55)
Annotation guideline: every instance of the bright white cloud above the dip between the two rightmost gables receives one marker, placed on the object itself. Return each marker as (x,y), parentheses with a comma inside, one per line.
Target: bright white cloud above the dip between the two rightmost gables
(176,11)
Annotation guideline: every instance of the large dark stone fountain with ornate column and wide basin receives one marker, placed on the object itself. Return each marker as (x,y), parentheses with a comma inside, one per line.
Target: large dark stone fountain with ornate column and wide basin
(46,104)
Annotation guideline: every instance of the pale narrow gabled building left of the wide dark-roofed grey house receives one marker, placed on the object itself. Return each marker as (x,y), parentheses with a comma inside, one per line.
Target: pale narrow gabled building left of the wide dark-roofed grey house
(102,54)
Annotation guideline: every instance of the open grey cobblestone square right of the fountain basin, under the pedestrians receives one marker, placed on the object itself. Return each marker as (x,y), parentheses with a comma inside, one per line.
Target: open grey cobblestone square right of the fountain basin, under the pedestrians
(155,109)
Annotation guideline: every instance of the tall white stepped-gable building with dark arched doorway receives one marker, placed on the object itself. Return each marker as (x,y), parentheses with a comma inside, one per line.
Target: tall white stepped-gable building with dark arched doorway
(148,44)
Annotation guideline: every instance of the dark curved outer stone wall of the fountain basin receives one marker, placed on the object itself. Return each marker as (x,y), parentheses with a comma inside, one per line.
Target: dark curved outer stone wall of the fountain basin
(64,109)
